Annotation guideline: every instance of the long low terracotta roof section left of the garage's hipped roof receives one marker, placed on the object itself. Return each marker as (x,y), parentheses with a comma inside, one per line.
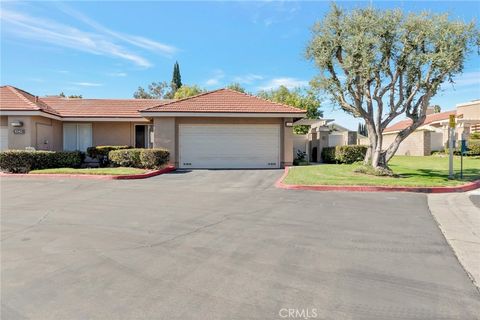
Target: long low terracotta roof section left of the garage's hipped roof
(112,108)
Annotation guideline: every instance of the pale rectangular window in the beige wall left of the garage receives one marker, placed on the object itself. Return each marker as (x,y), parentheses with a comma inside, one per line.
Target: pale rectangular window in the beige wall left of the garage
(77,136)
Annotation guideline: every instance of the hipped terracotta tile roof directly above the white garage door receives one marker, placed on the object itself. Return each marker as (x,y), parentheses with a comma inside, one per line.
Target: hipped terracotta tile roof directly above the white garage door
(225,101)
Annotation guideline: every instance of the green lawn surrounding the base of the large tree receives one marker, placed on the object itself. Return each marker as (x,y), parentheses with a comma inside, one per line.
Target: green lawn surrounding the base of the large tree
(412,171)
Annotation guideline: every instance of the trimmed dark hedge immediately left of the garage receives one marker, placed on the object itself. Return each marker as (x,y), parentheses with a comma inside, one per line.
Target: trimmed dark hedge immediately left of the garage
(139,158)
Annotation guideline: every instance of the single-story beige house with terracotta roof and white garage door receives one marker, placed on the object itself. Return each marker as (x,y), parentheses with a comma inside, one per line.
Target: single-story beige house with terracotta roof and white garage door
(216,129)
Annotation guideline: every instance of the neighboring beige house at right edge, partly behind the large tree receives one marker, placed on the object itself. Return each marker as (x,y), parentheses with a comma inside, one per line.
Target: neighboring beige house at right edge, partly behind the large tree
(432,135)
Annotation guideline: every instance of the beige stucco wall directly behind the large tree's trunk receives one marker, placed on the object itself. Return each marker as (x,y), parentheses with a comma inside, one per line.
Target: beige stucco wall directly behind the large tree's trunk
(416,144)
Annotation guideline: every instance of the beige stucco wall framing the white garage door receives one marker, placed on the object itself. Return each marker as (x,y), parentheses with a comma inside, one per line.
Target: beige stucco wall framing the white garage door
(166,133)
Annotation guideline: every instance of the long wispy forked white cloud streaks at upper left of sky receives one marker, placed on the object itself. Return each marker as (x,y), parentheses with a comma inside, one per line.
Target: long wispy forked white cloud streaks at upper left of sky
(103,41)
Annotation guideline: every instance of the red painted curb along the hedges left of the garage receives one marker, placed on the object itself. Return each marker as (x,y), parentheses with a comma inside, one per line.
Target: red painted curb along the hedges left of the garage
(94,176)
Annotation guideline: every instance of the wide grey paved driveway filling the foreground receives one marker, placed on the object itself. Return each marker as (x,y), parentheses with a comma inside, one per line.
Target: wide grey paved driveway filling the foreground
(222,245)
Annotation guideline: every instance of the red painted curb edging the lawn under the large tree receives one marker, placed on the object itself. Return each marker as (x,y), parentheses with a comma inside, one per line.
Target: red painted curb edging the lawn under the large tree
(462,188)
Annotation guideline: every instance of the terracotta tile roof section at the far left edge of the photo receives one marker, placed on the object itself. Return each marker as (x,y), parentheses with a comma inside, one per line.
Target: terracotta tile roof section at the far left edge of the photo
(14,99)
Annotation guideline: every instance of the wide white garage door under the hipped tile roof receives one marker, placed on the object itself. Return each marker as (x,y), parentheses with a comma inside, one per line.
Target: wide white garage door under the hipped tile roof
(229,146)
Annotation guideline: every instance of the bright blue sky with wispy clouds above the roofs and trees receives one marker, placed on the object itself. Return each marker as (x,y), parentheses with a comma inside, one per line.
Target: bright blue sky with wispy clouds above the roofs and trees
(108,49)
